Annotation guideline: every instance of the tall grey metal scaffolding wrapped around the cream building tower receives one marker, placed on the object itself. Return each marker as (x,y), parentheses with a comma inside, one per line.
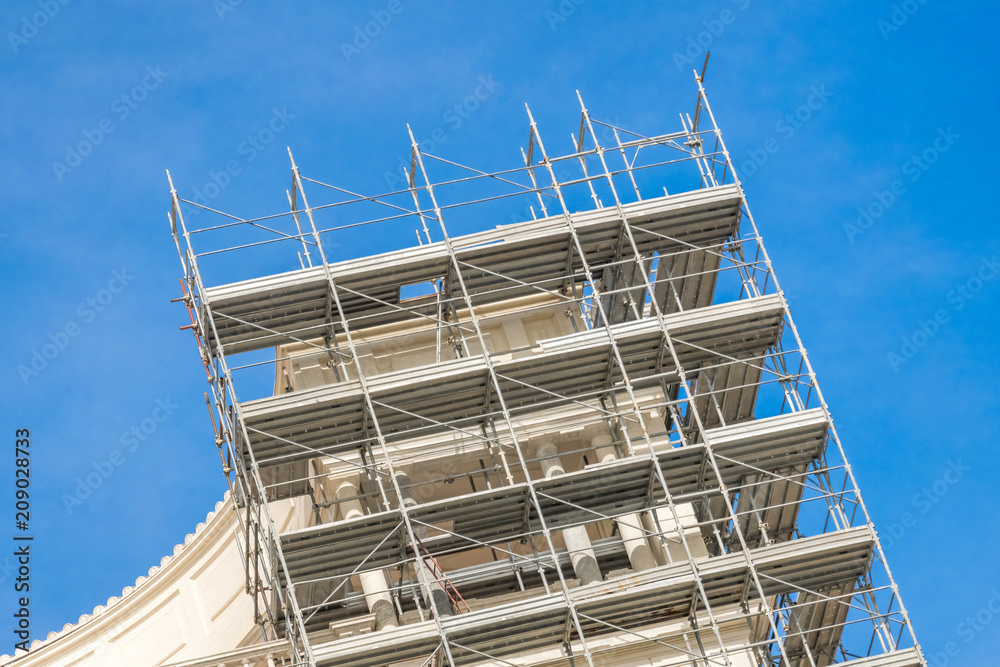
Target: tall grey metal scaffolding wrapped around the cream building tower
(588,435)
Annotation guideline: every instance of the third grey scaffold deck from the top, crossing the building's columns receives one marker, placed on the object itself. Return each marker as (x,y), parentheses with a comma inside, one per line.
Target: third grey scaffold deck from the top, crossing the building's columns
(598,491)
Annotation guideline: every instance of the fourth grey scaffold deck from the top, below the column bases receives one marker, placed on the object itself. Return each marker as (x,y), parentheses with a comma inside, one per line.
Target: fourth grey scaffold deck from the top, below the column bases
(627,601)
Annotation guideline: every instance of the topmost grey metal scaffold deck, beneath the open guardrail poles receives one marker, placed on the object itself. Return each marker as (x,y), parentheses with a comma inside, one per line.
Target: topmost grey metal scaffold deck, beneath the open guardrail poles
(295,303)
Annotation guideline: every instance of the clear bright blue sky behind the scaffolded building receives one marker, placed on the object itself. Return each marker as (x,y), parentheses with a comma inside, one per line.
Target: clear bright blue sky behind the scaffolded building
(182,85)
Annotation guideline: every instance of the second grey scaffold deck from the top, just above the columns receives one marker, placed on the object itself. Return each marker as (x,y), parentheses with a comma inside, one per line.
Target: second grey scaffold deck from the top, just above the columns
(417,401)
